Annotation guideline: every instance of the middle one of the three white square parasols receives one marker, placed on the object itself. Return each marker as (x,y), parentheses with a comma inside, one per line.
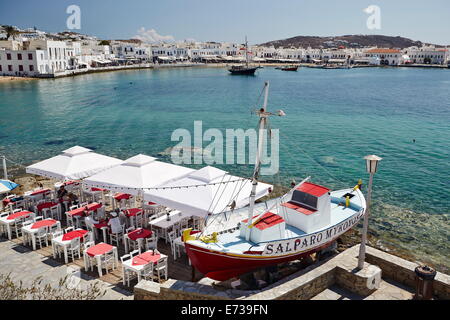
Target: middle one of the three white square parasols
(137,173)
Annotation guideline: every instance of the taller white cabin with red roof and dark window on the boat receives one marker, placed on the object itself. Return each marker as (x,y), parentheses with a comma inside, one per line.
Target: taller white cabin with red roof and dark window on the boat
(309,208)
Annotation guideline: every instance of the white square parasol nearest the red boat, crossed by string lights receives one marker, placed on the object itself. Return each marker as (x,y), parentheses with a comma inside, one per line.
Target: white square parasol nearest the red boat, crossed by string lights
(211,191)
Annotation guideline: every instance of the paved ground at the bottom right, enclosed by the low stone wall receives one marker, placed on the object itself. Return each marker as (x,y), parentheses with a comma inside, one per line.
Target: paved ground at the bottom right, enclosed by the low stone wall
(388,291)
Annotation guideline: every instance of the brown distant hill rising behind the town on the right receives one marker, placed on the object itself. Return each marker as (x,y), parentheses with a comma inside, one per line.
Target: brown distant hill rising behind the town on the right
(348,41)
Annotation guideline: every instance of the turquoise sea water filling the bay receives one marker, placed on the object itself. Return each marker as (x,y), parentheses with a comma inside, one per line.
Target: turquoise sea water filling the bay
(334,118)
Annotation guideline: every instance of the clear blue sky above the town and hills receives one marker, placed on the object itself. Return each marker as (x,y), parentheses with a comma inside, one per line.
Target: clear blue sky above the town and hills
(231,20)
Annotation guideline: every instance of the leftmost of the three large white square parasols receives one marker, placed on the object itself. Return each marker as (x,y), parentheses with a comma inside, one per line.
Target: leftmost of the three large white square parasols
(74,163)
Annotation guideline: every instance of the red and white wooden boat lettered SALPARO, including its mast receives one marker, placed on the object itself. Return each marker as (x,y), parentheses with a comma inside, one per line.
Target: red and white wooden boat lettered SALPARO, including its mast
(307,219)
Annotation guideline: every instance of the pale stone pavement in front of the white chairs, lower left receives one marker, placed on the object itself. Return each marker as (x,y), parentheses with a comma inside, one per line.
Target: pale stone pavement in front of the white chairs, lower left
(26,265)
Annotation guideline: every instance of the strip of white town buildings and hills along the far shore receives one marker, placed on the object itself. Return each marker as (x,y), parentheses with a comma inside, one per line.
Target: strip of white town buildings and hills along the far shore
(34,53)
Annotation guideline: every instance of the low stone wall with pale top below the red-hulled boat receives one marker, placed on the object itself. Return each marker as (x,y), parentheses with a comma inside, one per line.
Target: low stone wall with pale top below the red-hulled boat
(304,284)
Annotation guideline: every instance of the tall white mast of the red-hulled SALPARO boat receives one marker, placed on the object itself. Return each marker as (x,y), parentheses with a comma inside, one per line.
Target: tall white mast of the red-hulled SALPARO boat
(262,126)
